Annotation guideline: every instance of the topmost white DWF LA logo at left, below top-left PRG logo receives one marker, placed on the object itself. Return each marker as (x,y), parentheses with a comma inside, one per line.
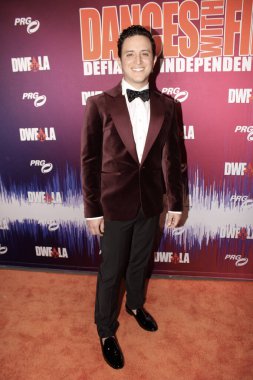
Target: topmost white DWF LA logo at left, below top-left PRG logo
(20,64)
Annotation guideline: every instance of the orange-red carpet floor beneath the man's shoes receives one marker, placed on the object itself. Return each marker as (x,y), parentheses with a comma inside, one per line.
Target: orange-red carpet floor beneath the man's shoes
(47,330)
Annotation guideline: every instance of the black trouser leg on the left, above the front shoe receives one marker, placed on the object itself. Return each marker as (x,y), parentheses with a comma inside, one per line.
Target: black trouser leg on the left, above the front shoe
(115,247)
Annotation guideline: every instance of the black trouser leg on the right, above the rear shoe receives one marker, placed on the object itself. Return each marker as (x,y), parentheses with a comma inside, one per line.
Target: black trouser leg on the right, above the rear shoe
(142,244)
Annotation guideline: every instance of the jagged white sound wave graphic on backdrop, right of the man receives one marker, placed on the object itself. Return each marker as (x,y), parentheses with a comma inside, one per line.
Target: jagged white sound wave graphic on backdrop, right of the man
(218,214)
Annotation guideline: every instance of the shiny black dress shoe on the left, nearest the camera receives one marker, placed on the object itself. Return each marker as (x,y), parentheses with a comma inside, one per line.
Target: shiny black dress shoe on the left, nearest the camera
(112,352)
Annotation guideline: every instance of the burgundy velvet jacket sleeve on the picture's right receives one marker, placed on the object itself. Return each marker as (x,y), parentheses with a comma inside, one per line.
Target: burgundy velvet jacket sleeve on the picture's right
(172,166)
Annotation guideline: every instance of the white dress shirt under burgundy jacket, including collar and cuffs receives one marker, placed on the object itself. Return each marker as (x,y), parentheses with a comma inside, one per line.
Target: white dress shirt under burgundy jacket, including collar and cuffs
(139,112)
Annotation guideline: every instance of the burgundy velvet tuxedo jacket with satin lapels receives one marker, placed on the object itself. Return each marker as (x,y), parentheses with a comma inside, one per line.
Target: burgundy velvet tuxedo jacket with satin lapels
(115,184)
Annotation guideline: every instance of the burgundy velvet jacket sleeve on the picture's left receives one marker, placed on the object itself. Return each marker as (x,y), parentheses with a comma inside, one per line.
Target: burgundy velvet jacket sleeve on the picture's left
(91,159)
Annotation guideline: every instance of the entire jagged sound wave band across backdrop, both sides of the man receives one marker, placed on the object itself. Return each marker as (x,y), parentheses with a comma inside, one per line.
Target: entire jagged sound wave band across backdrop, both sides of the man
(213,216)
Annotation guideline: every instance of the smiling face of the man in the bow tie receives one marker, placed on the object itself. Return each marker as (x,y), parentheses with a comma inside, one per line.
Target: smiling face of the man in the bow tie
(137,60)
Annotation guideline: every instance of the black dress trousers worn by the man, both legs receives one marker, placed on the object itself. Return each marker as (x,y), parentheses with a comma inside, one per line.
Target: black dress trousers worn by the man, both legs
(126,248)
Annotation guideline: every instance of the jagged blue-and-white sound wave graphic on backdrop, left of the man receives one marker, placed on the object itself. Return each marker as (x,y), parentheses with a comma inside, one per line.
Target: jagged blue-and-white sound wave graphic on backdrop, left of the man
(61,224)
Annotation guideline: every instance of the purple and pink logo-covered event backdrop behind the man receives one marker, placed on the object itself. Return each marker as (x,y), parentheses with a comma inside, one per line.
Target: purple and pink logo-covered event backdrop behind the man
(54,55)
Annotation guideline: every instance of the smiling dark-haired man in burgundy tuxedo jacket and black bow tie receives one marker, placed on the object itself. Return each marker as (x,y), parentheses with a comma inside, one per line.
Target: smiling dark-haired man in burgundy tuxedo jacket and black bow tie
(130,157)
